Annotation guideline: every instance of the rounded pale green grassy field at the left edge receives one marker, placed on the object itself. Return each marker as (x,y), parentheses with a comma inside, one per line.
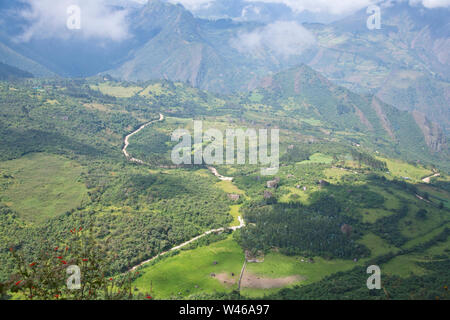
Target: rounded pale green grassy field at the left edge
(43,186)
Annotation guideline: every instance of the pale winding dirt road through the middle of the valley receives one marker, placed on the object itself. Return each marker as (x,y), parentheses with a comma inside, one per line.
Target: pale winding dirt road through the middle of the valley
(212,169)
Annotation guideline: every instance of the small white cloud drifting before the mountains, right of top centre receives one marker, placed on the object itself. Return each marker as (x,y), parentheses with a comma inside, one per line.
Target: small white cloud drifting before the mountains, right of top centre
(284,38)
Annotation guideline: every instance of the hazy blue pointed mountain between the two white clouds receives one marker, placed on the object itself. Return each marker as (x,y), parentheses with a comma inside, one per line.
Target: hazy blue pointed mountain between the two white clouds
(180,47)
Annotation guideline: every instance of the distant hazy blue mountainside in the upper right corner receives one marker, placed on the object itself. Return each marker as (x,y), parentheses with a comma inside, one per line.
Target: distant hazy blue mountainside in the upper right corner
(405,63)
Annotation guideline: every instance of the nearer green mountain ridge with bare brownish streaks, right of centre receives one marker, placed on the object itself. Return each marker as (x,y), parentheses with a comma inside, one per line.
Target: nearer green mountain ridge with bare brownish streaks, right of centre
(303,93)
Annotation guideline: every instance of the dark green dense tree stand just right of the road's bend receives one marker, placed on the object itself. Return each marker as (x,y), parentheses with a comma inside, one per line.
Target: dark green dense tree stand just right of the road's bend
(295,229)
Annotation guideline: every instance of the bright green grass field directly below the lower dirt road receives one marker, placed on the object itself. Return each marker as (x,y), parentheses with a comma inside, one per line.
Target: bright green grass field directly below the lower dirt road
(183,272)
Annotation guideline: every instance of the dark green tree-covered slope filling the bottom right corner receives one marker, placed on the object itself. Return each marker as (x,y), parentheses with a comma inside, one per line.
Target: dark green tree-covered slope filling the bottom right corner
(352,284)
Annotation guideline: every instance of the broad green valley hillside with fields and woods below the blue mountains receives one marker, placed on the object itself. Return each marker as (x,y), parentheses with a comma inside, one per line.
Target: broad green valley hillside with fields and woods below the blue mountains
(62,166)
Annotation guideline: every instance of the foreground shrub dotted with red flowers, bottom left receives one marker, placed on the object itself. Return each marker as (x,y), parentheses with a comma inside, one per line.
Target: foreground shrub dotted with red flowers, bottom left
(49,277)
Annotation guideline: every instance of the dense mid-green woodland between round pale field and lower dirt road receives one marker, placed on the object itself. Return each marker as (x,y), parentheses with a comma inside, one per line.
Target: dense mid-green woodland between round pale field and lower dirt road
(141,215)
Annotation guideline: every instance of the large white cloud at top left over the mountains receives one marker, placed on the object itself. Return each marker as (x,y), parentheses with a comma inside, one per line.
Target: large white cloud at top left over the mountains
(48,19)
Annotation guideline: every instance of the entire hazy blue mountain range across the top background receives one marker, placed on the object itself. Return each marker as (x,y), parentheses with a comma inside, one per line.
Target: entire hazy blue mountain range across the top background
(406,63)
